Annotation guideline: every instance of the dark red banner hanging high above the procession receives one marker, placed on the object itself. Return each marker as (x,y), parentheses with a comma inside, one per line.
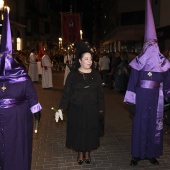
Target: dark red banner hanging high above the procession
(70,27)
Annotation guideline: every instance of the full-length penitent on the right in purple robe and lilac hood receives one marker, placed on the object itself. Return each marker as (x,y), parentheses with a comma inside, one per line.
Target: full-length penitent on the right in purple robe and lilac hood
(148,86)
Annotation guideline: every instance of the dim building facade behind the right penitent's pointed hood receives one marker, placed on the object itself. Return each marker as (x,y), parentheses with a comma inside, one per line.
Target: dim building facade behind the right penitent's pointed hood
(124,24)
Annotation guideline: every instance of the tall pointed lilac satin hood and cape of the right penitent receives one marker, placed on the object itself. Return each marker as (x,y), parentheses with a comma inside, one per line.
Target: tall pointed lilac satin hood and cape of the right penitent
(150,58)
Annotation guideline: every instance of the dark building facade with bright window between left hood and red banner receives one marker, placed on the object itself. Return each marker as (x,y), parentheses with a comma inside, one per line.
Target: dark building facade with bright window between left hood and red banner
(35,22)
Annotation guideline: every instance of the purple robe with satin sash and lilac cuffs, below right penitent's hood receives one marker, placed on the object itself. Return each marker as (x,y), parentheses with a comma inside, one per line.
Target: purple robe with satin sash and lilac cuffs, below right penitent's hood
(145,89)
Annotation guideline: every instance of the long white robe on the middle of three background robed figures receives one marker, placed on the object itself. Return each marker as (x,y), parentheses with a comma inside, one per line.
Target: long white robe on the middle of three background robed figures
(46,74)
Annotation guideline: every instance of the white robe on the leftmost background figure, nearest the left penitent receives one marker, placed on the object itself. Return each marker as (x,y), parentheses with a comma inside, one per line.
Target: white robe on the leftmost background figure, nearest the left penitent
(33,68)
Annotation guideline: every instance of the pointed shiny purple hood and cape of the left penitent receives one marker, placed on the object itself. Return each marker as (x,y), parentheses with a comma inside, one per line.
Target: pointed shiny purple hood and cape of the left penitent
(10,70)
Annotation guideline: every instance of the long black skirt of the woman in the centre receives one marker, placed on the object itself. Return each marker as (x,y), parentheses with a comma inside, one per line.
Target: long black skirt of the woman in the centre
(83,126)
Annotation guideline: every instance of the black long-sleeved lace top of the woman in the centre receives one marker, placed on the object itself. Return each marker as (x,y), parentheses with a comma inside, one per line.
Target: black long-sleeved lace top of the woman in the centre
(78,85)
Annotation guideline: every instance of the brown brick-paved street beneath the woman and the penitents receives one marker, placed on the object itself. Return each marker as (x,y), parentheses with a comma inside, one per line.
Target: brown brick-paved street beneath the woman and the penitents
(49,152)
